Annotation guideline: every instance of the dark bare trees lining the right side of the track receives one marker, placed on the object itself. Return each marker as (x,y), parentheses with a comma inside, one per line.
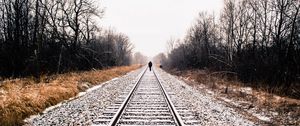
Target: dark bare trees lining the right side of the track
(257,40)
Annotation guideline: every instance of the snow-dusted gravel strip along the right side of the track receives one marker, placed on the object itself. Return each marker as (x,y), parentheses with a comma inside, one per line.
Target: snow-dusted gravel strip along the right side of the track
(210,110)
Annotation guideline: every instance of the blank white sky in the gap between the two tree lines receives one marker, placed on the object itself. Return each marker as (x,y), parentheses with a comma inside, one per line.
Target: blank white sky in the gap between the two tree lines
(151,23)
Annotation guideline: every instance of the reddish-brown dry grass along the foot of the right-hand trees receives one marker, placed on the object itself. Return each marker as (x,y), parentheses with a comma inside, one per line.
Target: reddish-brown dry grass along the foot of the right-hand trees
(288,109)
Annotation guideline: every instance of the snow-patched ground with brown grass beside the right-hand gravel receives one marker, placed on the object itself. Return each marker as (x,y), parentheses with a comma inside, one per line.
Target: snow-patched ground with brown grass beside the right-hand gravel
(258,106)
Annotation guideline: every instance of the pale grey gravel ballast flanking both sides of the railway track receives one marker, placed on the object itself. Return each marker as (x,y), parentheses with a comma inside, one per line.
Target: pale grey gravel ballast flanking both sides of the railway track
(84,109)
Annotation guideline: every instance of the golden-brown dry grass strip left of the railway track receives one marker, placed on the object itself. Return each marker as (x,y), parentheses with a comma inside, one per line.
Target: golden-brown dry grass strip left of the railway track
(20,98)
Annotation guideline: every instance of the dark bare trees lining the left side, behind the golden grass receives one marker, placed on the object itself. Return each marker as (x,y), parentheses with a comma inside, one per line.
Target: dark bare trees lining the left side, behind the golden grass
(54,36)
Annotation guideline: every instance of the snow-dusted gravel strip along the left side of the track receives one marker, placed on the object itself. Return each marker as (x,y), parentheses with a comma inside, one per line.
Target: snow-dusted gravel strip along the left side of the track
(86,106)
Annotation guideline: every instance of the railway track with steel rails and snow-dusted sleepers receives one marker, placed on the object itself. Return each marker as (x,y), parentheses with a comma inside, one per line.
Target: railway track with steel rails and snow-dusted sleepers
(146,103)
